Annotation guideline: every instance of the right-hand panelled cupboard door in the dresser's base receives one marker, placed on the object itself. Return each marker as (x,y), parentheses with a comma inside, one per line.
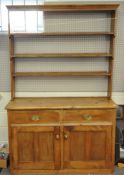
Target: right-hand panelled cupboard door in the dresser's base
(87,147)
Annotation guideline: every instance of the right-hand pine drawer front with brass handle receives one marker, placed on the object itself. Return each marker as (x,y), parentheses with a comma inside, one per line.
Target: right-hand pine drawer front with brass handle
(88,115)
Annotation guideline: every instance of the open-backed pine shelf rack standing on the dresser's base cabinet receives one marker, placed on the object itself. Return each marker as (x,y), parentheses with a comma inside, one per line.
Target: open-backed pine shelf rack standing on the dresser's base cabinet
(111,8)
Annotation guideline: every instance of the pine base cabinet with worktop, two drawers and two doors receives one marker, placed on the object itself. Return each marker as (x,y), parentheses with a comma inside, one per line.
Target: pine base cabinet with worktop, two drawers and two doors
(61,135)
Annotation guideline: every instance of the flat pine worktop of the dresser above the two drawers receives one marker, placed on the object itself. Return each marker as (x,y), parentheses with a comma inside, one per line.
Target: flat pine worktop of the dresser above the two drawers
(61,103)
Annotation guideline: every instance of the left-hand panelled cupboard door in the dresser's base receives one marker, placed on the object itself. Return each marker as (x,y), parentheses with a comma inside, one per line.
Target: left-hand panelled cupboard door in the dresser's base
(35,147)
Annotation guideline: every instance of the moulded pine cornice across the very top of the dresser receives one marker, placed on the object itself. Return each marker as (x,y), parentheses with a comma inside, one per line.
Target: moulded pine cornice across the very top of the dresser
(64,7)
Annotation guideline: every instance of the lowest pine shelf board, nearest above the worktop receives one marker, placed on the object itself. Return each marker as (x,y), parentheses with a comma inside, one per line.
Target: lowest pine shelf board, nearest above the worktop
(56,74)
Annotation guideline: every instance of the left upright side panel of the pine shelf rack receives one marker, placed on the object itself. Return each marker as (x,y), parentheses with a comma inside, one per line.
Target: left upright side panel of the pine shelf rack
(12,61)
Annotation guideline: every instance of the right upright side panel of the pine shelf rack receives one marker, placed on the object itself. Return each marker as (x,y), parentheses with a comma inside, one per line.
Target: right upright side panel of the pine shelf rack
(112,49)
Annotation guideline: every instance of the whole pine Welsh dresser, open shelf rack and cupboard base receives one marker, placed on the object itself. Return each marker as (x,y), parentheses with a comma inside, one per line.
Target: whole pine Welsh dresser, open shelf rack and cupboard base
(62,134)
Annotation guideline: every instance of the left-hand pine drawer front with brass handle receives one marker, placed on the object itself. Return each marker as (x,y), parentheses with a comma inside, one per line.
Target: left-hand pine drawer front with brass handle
(33,117)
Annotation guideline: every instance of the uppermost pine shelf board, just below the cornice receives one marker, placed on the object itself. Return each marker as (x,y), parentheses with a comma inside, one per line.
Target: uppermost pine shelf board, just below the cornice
(62,34)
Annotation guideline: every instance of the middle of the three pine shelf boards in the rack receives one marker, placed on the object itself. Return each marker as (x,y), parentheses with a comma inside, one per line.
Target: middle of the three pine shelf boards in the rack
(61,55)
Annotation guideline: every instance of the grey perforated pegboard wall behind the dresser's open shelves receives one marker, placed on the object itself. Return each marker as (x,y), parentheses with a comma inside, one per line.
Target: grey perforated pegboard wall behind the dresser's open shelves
(66,22)
